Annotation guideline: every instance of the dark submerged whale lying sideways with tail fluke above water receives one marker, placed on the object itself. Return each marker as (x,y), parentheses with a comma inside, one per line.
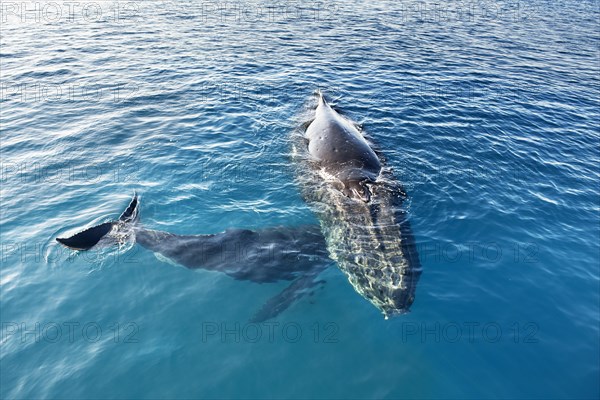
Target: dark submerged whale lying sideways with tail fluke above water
(297,254)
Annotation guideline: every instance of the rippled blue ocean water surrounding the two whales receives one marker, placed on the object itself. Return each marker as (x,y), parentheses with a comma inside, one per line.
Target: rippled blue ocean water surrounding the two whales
(487,111)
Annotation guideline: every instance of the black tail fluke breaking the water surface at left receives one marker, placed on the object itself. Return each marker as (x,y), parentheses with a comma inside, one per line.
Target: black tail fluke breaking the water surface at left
(90,237)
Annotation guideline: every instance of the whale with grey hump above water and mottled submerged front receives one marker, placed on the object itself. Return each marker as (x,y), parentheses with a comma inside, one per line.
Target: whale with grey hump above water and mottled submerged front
(360,208)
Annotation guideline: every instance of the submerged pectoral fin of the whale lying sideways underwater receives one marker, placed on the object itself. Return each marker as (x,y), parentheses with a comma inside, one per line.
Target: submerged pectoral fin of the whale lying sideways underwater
(283,300)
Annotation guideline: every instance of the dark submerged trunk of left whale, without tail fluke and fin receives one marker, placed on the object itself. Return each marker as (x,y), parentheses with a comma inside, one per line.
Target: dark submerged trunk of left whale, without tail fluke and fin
(267,255)
